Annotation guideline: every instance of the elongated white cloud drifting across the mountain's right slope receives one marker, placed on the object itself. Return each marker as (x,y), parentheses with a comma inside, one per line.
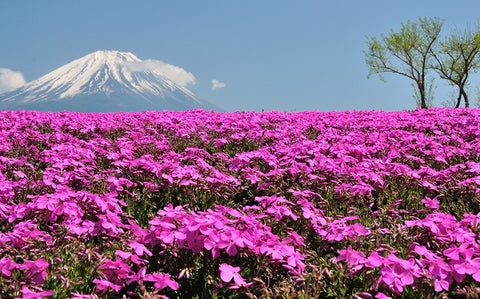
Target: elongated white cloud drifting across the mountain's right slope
(172,72)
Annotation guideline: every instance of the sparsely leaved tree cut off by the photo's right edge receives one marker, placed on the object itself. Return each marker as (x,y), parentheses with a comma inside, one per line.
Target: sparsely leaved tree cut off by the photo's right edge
(457,56)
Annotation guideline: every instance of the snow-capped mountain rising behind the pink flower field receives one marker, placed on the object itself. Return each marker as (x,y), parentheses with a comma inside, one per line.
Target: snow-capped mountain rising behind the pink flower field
(103,81)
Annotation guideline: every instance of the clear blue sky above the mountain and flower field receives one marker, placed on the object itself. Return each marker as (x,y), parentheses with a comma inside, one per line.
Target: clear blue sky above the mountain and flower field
(269,54)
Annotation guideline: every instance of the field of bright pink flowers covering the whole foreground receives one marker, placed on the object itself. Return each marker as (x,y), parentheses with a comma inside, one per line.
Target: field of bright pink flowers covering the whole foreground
(198,204)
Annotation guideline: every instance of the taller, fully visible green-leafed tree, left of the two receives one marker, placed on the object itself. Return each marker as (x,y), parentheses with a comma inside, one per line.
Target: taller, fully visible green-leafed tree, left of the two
(407,53)
